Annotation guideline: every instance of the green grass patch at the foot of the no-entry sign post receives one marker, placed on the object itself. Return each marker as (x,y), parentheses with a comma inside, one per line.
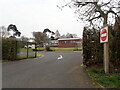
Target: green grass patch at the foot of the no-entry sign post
(111,81)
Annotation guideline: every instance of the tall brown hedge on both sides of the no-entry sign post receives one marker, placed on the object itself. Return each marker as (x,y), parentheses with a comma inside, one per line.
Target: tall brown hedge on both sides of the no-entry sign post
(93,49)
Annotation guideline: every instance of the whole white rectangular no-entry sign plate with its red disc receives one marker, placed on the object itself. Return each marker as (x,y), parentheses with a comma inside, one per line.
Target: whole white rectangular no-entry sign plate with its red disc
(104,35)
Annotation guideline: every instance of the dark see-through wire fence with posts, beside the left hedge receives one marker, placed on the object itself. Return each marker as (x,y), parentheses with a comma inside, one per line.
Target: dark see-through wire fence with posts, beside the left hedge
(25,50)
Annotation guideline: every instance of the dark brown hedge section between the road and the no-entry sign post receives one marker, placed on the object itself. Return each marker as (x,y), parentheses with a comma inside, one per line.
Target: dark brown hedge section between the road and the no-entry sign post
(92,48)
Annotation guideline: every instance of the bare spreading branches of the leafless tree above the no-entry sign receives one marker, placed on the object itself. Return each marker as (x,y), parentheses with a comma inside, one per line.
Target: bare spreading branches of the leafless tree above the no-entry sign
(96,12)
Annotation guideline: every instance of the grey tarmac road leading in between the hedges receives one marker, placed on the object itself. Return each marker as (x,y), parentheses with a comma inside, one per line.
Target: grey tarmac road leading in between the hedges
(47,72)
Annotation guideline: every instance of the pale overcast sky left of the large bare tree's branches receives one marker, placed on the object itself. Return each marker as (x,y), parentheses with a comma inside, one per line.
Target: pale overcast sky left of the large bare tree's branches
(37,15)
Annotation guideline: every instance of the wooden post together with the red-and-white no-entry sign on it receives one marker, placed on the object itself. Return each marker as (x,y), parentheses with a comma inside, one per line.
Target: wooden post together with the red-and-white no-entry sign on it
(104,39)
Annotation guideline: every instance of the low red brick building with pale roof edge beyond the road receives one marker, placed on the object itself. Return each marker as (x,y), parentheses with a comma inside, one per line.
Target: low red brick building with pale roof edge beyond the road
(69,42)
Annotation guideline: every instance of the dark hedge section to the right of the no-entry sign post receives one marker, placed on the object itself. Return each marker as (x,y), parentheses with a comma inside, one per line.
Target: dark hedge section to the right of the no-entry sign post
(114,45)
